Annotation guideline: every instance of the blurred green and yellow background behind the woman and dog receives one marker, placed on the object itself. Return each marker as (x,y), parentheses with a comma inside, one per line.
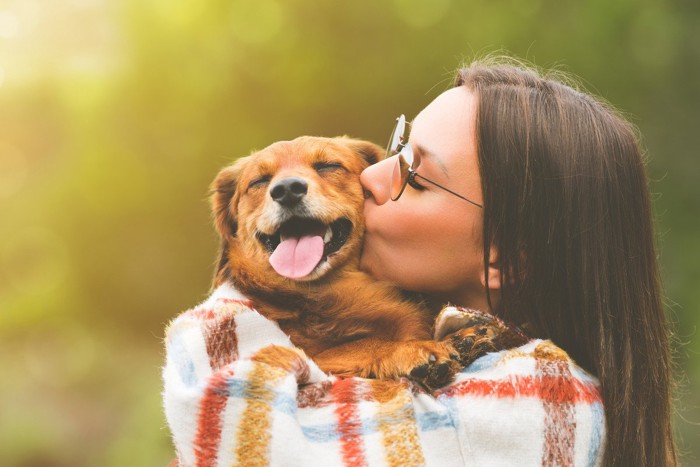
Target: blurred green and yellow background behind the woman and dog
(116,114)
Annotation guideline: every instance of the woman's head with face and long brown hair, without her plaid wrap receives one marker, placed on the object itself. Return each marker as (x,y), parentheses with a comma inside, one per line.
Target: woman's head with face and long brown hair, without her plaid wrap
(564,243)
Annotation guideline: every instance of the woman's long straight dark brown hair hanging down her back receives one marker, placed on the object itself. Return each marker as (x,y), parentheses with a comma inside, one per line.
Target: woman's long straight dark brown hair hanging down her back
(567,208)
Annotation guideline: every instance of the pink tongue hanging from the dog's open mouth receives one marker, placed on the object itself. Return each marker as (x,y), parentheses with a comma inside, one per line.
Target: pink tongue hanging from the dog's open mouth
(297,257)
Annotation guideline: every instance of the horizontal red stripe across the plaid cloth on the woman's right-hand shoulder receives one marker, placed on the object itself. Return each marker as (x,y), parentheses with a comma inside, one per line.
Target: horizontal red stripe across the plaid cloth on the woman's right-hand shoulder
(546,387)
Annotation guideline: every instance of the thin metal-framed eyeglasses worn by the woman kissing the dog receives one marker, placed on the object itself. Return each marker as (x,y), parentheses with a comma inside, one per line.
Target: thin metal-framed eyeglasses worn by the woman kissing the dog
(404,171)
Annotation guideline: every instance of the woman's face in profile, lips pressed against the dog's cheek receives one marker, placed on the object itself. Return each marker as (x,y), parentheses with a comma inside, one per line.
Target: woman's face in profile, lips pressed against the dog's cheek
(430,240)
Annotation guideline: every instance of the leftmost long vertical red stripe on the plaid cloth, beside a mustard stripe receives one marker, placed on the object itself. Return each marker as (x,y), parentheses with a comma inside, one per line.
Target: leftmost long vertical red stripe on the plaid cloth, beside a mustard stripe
(209,419)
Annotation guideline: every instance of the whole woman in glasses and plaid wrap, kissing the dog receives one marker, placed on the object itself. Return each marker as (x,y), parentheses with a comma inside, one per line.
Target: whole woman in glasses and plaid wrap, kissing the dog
(515,194)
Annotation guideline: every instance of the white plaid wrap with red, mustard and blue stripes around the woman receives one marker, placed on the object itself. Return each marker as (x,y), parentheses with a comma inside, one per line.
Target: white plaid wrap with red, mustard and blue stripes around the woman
(237,392)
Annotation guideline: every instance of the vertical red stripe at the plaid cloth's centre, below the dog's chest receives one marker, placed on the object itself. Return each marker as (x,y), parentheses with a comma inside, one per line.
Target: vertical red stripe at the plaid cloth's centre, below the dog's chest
(345,394)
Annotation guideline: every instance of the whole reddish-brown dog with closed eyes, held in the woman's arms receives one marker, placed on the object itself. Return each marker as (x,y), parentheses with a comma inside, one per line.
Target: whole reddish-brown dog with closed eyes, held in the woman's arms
(291,226)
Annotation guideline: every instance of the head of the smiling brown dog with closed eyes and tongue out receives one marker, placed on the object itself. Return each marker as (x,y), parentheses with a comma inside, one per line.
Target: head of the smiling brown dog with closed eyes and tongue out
(291,212)
